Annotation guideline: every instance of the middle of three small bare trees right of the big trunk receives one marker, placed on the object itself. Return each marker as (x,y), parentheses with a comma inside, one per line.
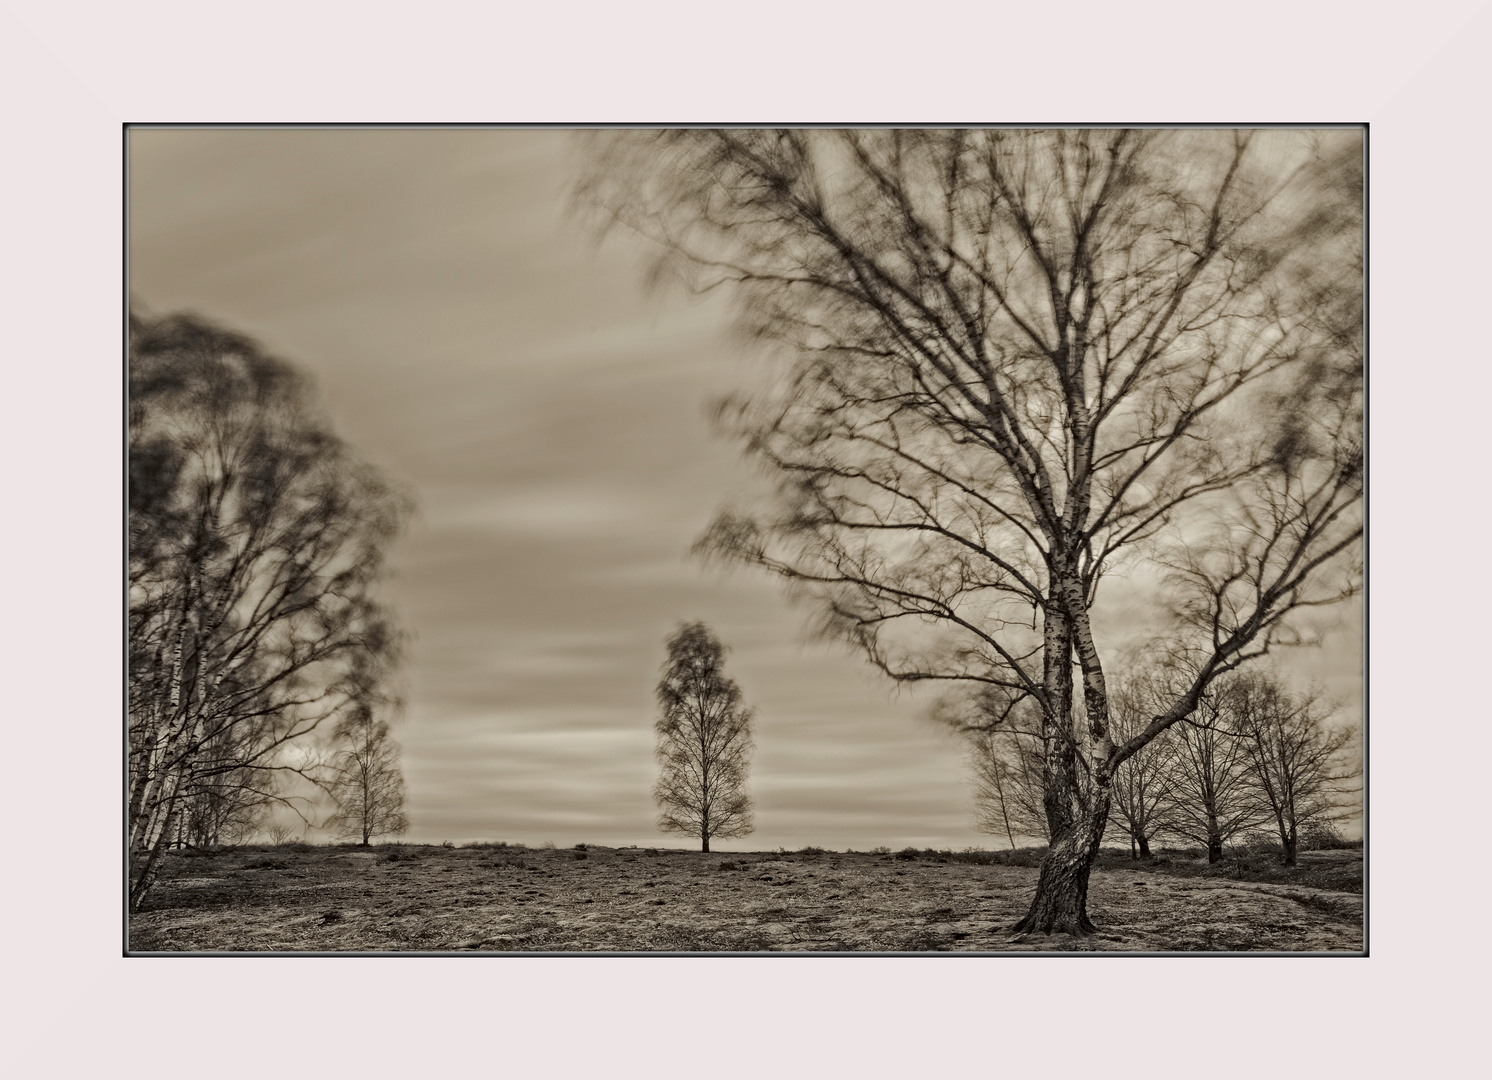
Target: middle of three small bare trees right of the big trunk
(1214,794)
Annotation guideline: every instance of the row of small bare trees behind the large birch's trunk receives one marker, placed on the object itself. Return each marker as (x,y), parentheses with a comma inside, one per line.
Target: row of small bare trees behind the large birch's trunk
(1254,760)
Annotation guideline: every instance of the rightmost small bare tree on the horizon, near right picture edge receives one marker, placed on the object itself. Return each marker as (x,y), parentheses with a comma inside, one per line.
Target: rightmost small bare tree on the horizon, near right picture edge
(1303,766)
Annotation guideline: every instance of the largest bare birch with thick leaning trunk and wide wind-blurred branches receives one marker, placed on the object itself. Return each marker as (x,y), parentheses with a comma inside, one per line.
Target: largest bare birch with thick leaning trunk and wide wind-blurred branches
(1015,360)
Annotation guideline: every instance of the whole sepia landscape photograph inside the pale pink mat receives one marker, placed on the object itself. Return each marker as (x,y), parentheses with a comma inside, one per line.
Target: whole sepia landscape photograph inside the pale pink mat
(742,541)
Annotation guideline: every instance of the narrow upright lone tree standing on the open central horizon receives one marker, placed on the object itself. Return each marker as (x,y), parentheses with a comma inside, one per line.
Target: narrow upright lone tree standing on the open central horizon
(705,742)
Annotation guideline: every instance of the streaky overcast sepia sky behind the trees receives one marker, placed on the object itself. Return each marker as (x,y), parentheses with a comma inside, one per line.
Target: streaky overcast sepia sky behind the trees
(550,420)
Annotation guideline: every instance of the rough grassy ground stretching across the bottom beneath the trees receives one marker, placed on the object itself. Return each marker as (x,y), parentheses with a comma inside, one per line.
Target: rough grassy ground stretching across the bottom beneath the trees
(413,899)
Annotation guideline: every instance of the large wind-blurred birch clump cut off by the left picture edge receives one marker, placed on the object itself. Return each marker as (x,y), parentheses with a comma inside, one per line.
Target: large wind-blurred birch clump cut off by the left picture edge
(256,547)
